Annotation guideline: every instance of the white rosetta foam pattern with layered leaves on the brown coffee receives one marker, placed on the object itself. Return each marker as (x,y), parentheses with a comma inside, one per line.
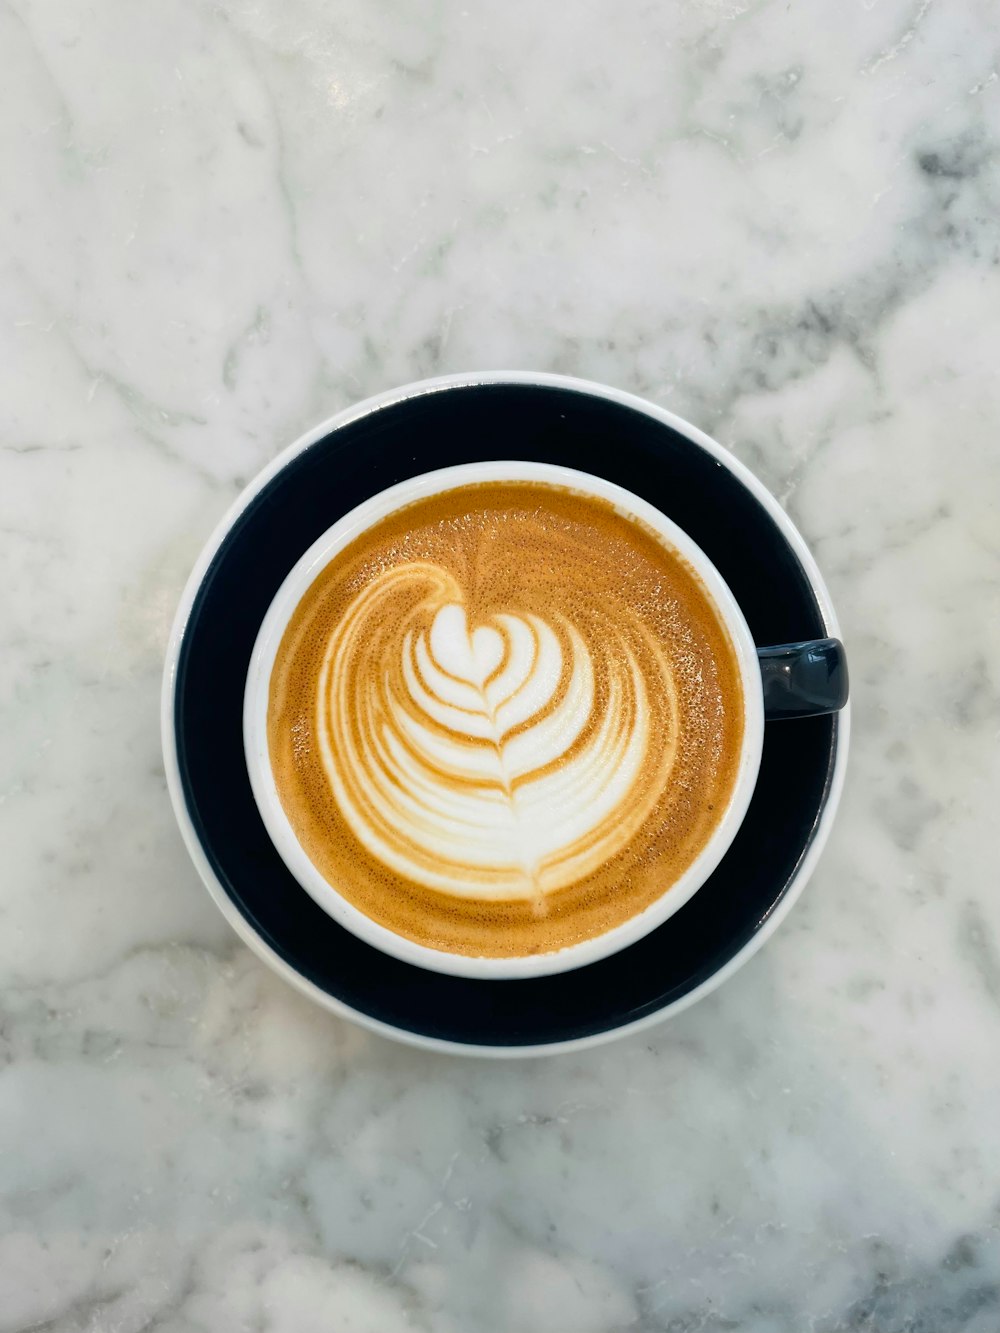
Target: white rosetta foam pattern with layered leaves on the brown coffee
(491,760)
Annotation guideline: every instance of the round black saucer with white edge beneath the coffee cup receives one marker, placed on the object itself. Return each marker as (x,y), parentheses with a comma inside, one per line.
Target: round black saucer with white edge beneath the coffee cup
(438,425)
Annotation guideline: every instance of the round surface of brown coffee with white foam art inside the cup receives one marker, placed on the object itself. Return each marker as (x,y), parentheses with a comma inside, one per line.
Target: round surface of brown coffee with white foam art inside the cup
(505,719)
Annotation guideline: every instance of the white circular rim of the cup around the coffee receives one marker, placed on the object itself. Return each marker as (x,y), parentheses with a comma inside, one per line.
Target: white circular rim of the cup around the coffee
(283,606)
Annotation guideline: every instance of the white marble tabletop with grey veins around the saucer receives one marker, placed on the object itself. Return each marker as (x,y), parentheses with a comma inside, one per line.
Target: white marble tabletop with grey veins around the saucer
(225,222)
